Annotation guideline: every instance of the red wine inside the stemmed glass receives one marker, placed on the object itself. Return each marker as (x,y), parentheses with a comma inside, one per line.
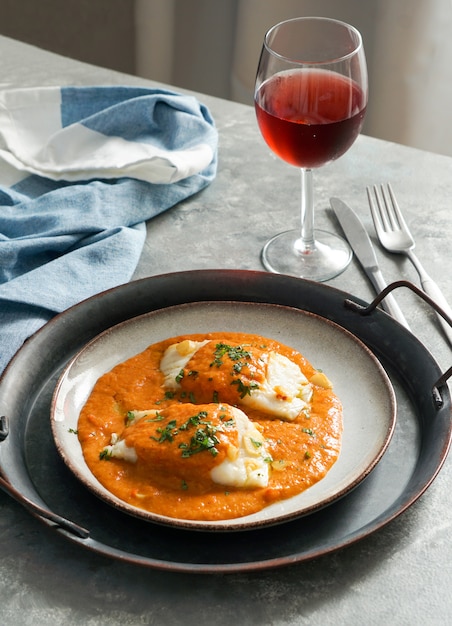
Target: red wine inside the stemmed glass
(309,117)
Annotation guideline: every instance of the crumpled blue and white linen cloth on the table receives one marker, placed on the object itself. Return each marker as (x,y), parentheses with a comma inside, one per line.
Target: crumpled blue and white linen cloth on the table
(82,169)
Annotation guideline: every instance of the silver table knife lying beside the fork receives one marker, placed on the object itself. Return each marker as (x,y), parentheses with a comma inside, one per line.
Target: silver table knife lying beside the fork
(361,244)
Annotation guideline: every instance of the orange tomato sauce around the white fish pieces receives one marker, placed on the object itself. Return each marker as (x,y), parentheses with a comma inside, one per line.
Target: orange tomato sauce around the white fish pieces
(301,452)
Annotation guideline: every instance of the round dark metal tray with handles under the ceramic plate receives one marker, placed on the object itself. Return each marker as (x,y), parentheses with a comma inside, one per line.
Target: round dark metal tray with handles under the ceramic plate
(34,474)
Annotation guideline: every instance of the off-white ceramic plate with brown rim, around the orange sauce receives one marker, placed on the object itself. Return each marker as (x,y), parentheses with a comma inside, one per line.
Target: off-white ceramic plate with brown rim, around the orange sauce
(358,380)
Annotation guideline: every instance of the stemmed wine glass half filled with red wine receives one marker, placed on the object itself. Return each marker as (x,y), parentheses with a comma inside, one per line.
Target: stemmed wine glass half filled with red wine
(310,101)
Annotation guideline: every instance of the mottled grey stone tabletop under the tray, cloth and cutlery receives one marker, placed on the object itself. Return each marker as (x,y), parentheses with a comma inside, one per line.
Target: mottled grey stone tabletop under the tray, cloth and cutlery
(400,575)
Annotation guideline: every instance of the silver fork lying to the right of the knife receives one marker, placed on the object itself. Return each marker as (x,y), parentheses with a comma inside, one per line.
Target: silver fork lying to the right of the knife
(395,236)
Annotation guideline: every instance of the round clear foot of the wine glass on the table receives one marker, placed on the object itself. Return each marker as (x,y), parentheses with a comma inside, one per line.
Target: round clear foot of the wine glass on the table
(328,259)
